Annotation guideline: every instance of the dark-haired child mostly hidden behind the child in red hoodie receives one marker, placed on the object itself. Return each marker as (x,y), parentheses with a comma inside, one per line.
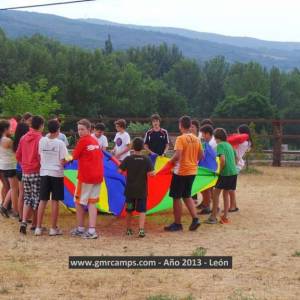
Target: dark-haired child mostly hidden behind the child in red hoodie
(22,129)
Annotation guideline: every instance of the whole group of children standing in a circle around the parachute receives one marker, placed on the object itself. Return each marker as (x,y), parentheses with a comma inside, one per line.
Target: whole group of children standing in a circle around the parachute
(32,171)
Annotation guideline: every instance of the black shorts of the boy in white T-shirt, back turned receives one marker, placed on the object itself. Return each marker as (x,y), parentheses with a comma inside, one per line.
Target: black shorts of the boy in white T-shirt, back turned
(52,185)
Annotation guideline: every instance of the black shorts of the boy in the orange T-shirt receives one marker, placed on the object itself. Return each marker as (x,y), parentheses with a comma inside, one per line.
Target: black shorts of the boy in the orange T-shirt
(181,186)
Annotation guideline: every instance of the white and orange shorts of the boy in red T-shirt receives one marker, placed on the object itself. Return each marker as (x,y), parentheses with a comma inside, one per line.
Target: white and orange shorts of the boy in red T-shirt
(87,193)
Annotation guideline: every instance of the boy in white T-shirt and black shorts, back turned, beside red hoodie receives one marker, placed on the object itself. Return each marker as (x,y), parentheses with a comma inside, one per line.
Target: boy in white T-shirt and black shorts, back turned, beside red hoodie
(53,153)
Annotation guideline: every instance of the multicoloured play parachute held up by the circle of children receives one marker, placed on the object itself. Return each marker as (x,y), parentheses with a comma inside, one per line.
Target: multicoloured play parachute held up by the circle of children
(112,199)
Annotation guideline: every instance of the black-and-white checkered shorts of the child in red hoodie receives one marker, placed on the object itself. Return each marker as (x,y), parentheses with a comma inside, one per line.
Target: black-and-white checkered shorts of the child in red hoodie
(32,184)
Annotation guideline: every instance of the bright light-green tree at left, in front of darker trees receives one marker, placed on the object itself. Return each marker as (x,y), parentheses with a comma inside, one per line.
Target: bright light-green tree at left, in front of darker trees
(21,98)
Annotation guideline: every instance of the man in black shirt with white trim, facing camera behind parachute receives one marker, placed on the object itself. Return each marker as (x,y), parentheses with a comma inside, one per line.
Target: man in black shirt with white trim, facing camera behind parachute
(157,138)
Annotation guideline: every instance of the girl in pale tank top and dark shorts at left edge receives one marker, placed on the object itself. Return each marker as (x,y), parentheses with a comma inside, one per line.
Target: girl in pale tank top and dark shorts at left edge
(8,168)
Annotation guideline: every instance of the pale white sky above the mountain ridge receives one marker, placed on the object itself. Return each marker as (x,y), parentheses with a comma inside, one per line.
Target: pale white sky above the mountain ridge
(276,20)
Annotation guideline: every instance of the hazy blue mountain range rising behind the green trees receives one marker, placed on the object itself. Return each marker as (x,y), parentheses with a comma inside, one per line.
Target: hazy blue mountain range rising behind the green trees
(92,34)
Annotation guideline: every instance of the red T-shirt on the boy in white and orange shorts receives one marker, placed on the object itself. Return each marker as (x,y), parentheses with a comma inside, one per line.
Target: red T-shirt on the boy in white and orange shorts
(90,160)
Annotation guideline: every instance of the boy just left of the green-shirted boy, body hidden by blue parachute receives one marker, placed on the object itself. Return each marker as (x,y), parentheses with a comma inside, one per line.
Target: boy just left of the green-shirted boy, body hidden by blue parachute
(206,132)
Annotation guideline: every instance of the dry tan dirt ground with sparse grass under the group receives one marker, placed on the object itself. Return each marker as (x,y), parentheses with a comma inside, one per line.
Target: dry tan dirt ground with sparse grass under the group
(262,238)
